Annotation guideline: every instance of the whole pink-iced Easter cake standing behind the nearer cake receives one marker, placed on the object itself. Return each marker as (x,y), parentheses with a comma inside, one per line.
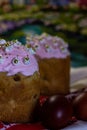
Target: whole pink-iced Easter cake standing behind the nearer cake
(54,63)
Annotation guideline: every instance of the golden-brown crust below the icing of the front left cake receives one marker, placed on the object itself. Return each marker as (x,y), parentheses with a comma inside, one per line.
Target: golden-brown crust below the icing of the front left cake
(18,96)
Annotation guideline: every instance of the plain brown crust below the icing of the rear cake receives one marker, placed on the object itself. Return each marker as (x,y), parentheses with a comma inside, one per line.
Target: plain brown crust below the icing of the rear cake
(55,75)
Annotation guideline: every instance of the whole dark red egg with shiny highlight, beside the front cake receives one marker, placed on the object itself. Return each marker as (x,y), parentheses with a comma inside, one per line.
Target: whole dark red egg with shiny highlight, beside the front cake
(56,112)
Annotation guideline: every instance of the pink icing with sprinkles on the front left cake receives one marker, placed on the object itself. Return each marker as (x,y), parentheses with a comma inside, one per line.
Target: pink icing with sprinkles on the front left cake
(15,58)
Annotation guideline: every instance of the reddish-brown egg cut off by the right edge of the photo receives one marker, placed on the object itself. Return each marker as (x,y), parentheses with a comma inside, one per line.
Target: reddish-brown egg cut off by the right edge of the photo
(80,106)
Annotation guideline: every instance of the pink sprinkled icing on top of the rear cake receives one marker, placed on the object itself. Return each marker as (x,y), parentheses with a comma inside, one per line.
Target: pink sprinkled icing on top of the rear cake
(47,46)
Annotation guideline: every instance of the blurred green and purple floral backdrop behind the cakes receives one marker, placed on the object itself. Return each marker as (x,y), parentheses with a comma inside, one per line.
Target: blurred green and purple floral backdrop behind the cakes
(64,18)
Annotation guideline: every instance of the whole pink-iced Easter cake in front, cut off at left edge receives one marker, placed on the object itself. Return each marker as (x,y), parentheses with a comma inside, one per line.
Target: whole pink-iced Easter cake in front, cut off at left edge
(18,82)
